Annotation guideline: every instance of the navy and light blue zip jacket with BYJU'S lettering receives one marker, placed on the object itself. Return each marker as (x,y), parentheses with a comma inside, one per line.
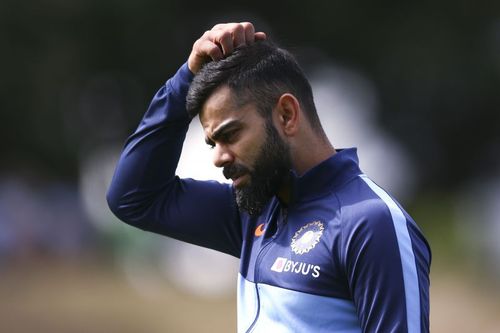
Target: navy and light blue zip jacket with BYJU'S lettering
(342,256)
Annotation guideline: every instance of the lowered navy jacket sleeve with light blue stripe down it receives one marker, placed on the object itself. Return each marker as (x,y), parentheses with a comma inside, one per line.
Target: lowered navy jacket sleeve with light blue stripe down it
(387,262)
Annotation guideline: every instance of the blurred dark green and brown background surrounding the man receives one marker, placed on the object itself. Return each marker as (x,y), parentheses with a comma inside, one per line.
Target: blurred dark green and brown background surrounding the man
(415,86)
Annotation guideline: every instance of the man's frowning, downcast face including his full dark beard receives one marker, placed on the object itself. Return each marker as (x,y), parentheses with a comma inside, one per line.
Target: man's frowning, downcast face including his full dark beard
(248,147)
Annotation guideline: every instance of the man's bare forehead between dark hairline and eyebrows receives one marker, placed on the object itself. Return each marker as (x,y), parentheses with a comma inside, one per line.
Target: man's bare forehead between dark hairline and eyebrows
(221,107)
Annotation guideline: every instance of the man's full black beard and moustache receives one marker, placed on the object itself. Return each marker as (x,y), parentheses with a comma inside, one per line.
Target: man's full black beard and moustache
(271,170)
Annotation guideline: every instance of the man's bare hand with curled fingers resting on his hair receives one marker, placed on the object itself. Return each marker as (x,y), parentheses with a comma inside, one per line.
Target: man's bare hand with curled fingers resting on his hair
(220,41)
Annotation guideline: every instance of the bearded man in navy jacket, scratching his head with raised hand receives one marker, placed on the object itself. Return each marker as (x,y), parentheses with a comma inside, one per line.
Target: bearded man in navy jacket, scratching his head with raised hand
(322,248)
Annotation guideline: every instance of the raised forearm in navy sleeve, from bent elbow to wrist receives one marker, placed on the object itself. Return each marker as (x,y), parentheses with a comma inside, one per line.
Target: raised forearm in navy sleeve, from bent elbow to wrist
(150,156)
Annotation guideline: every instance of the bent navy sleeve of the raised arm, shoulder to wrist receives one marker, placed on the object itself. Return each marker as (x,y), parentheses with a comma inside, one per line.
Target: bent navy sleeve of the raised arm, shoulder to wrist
(146,193)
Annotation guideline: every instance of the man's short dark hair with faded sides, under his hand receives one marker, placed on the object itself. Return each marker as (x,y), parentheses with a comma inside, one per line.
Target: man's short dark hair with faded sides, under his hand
(259,73)
